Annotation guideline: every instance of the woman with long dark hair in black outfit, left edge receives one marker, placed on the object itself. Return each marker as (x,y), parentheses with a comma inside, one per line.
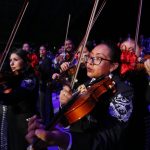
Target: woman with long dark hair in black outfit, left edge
(18,103)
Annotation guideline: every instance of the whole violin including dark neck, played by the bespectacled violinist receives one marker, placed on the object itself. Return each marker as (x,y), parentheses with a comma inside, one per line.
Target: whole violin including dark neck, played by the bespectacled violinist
(80,105)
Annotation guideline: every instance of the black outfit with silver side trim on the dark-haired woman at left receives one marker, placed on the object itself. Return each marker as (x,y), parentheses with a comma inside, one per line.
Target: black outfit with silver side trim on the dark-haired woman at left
(15,108)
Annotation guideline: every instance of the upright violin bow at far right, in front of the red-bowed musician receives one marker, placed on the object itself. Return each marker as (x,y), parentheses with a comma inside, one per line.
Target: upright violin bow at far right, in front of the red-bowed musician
(137,28)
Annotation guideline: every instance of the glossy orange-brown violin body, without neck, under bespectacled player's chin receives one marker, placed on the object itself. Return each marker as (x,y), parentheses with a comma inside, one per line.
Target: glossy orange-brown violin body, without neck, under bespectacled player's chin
(87,101)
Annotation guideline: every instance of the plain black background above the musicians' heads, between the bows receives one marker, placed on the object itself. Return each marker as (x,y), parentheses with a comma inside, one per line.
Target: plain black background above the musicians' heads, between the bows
(45,21)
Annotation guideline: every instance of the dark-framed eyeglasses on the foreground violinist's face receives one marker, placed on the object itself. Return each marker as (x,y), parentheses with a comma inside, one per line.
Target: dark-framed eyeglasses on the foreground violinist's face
(95,60)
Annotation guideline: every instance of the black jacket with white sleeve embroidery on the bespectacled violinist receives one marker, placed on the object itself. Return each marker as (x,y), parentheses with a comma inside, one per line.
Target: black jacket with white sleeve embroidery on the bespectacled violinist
(104,127)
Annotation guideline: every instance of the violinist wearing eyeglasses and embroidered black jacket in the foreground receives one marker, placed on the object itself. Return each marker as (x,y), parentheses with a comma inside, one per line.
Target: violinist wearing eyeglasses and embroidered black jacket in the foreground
(104,127)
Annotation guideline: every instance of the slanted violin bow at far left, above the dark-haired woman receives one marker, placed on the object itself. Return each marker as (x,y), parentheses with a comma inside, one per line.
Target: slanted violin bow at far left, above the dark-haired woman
(13,33)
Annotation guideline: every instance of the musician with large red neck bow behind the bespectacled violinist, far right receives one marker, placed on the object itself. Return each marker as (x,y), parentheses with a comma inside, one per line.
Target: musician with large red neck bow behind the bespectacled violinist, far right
(134,71)
